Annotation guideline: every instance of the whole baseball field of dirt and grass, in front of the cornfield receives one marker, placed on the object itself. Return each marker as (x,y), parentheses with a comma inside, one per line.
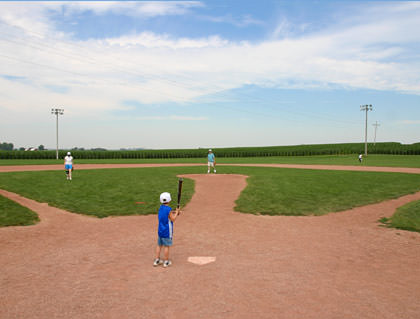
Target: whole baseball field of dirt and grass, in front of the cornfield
(274,237)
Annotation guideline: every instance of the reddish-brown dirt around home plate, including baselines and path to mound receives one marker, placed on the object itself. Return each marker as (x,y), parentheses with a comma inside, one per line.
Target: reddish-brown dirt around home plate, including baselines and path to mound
(341,265)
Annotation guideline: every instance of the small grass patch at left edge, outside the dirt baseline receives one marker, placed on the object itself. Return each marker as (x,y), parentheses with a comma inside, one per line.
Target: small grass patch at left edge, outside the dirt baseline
(12,214)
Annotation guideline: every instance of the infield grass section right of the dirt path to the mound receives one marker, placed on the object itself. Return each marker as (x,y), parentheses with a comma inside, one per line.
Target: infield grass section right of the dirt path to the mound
(314,192)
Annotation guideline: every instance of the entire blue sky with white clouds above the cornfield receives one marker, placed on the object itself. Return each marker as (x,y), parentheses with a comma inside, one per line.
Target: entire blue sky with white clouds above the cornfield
(187,74)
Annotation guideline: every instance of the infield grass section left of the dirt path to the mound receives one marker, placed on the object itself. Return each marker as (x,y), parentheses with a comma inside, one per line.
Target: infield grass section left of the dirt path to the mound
(101,193)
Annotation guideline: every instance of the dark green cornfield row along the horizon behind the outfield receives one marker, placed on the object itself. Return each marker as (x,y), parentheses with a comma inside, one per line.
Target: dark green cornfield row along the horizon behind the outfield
(297,150)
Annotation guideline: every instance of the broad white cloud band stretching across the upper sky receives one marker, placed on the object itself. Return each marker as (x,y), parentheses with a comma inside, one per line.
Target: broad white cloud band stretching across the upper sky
(157,68)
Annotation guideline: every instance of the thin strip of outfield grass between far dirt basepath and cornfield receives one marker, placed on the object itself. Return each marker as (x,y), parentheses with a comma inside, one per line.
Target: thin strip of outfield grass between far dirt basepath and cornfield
(371,160)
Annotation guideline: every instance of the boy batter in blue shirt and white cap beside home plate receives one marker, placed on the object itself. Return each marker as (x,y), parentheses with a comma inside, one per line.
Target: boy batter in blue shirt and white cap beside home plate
(166,218)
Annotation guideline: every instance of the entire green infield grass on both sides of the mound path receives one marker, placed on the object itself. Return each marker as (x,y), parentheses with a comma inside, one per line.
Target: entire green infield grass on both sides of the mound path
(270,191)
